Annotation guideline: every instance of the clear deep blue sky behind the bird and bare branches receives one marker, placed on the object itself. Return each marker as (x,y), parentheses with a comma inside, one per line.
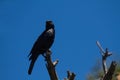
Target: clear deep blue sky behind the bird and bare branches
(78,24)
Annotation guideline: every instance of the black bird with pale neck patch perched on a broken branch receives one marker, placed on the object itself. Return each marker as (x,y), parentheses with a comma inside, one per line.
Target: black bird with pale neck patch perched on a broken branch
(42,44)
